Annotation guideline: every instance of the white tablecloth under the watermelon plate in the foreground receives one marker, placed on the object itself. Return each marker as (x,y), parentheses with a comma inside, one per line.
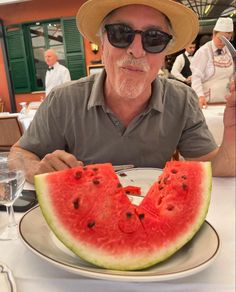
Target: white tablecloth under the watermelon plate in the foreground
(33,273)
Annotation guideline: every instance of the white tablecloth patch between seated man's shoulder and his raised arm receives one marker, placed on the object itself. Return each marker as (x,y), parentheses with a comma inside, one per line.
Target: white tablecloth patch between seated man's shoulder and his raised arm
(214,119)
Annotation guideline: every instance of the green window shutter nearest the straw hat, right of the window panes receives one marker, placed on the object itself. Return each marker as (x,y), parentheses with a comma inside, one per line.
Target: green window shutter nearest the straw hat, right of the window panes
(74,49)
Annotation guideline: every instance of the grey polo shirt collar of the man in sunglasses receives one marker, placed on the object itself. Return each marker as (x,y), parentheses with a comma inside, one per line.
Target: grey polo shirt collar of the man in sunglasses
(97,94)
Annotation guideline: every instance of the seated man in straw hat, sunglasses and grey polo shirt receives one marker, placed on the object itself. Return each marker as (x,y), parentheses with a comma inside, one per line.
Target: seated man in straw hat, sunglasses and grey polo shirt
(126,114)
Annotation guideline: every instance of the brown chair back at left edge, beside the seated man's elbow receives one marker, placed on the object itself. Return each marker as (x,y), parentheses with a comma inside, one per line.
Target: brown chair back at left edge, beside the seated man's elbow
(10,132)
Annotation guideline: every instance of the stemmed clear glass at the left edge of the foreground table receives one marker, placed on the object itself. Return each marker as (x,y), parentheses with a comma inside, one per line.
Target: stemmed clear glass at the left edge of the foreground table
(12,179)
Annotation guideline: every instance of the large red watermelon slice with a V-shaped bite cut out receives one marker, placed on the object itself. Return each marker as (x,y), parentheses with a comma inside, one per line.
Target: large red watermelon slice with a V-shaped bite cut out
(89,211)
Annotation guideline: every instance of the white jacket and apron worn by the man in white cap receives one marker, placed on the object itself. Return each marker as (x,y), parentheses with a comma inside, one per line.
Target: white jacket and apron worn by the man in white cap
(210,71)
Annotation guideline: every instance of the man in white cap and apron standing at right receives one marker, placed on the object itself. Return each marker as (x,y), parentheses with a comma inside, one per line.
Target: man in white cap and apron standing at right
(212,65)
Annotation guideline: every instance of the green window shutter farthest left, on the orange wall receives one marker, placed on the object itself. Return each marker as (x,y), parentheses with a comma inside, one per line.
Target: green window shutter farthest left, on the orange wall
(17,58)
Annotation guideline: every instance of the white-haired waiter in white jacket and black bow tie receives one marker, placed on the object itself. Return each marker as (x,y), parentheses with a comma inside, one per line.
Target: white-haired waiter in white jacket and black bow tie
(57,74)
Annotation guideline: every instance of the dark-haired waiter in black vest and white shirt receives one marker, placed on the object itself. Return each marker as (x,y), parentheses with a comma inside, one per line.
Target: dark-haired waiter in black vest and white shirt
(181,67)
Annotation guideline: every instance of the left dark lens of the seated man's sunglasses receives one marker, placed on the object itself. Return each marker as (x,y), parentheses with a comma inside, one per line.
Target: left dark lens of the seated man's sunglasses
(119,35)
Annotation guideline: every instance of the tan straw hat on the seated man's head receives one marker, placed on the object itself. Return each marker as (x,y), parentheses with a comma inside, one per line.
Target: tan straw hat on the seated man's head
(183,20)
